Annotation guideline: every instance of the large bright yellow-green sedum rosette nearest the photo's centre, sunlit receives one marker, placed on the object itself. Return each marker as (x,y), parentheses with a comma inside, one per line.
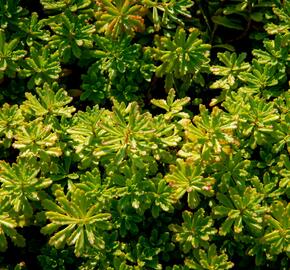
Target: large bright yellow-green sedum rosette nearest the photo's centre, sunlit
(126,133)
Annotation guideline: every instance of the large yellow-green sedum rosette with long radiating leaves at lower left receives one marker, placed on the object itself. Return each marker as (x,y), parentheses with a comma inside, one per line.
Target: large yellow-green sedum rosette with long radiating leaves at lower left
(83,220)
